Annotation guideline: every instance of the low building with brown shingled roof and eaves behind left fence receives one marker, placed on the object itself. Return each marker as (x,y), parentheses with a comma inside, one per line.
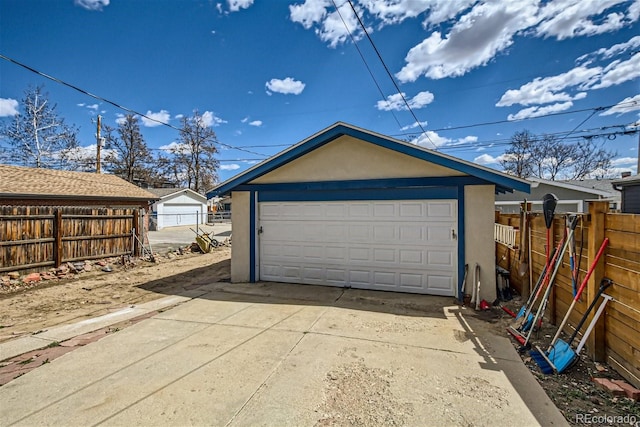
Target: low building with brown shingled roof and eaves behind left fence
(23,186)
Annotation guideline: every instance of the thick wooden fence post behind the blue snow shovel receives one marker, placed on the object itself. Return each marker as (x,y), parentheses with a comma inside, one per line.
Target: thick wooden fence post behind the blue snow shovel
(596,341)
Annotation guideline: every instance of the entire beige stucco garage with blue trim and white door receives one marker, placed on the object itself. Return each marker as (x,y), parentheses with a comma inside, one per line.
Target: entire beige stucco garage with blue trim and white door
(351,208)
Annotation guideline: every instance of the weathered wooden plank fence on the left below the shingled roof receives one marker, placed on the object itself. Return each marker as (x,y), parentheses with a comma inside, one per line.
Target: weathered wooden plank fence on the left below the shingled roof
(36,238)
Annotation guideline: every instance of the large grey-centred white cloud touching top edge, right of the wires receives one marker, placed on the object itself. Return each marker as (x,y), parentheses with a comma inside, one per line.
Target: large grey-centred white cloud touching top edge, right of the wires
(473,41)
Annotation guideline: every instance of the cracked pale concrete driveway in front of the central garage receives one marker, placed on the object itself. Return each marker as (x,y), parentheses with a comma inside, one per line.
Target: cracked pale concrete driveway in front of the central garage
(277,355)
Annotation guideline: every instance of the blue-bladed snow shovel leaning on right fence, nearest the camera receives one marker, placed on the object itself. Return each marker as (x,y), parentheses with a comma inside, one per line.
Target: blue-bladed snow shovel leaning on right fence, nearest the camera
(561,356)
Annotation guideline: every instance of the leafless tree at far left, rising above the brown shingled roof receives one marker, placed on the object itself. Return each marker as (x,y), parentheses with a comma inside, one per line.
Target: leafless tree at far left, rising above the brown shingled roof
(38,136)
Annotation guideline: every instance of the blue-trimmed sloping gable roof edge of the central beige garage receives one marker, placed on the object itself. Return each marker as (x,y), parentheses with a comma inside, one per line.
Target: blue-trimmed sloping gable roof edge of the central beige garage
(502,181)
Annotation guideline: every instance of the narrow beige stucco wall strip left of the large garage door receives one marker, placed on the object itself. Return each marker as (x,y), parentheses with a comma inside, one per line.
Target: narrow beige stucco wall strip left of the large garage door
(240,249)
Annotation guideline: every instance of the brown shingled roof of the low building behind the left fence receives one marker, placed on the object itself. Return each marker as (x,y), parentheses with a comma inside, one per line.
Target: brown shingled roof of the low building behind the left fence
(18,182)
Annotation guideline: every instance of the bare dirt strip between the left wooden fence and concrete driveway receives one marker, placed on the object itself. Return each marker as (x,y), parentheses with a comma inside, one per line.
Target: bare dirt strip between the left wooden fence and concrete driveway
(29,309)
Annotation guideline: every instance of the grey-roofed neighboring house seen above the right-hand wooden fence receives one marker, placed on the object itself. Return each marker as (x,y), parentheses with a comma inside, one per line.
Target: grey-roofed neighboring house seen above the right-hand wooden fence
(572,195)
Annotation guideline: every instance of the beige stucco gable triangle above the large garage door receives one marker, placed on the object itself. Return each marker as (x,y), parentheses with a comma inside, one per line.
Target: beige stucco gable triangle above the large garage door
(349,158)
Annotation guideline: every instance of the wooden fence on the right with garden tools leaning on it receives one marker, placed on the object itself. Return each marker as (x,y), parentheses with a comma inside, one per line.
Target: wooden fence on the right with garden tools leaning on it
(616,338)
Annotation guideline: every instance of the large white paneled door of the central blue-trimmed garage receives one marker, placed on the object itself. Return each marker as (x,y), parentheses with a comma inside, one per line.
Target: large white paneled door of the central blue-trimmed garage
(397,245)
